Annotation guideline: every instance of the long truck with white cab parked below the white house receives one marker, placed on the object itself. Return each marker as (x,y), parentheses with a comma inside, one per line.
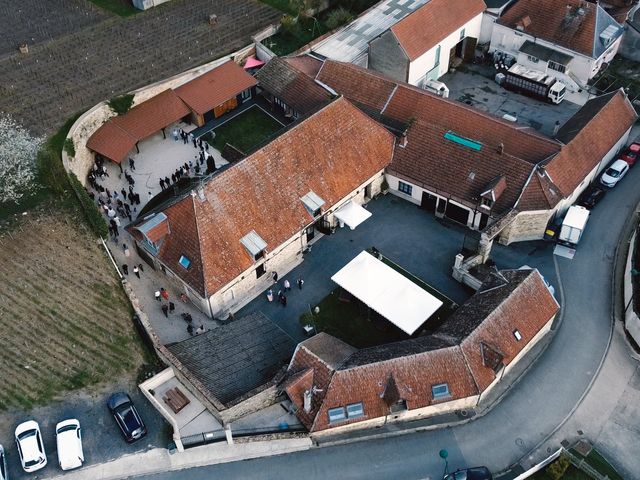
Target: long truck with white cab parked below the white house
(532,83)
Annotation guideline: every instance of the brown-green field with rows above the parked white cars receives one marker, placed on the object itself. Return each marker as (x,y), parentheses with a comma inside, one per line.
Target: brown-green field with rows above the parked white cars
(64,320)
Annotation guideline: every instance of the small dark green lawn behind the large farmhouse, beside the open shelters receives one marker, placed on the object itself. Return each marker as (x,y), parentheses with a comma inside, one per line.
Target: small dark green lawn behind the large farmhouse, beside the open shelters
(245,131)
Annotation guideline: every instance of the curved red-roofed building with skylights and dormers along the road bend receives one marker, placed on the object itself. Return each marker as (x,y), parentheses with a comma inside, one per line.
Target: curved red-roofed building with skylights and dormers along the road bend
(337,387)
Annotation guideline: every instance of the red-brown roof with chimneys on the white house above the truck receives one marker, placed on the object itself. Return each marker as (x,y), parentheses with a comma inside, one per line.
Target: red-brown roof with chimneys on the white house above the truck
(547,20)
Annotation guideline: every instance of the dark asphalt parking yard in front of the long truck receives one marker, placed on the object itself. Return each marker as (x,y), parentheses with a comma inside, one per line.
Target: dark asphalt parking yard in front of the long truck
(475,87)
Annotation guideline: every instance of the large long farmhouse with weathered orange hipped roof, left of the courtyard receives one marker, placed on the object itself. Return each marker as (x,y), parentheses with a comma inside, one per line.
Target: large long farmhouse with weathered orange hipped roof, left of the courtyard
(222,242)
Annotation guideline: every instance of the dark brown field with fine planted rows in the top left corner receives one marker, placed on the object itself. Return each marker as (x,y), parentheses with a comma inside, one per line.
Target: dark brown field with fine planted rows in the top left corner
(80,67)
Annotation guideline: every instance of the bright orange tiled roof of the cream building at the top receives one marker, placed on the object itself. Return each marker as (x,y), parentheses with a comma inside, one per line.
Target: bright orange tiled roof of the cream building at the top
(423,29)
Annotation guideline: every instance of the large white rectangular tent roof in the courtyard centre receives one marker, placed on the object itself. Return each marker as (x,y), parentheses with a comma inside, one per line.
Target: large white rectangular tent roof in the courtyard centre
(386,291)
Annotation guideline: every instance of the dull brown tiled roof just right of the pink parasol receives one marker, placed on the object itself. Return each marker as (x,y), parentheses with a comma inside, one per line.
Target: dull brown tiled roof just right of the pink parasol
(293,87)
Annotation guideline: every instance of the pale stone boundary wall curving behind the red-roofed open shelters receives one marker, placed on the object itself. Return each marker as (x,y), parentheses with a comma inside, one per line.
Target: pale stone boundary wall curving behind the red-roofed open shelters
(96,116)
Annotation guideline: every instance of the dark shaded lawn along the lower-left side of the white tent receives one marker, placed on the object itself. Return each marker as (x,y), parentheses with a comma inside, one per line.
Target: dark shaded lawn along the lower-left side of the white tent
(352,322)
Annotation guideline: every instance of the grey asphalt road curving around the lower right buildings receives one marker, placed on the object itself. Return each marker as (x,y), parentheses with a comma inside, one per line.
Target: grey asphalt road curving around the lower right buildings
(540,402)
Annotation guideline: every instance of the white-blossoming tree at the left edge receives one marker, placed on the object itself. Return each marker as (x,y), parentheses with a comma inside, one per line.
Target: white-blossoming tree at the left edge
(18,152)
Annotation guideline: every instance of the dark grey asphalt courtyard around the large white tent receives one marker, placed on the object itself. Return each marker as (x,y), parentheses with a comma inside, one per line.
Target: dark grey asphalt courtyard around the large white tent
(408,236)
